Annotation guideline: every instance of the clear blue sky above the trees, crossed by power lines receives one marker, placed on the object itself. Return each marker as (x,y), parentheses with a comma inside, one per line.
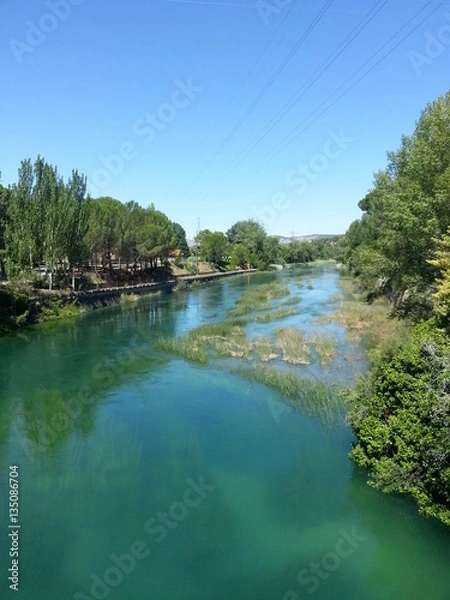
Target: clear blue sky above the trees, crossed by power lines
(185,90)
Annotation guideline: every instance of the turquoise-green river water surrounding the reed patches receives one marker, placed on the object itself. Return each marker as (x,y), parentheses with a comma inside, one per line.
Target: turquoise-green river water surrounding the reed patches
(143,476)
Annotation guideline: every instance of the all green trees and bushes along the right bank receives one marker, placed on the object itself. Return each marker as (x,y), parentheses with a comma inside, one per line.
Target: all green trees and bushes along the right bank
(401,248)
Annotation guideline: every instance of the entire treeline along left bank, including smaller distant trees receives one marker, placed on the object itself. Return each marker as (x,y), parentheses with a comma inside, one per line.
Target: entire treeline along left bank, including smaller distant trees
(50,230)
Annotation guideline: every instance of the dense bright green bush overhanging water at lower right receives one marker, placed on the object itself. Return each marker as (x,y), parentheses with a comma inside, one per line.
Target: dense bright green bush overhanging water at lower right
(401,416)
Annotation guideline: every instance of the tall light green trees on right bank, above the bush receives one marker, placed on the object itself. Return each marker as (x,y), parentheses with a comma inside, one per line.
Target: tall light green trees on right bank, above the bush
(408,207)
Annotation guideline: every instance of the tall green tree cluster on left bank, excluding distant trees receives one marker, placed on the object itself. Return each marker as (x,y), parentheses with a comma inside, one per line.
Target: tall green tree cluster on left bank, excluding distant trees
(47,221)
